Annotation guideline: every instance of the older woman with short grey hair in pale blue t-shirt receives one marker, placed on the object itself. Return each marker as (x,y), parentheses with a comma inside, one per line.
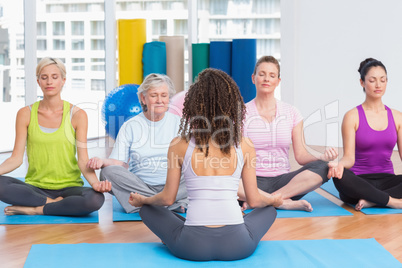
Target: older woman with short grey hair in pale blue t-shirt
(138,162)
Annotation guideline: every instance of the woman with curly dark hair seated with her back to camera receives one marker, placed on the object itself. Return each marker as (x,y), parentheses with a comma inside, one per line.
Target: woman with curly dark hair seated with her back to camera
(213,156)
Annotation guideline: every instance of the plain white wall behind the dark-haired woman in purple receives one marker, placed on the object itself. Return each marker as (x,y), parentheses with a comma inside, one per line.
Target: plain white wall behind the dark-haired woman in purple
(322,45)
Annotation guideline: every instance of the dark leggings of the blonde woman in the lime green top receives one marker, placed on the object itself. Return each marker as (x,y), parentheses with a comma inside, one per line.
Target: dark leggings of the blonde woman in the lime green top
(77,201)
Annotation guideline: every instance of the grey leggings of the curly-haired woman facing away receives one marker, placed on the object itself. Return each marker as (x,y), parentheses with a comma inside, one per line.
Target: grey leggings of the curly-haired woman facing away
(201,243)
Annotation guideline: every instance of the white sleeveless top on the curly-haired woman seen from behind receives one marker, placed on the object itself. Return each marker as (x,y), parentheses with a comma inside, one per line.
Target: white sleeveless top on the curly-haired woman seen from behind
(212,199)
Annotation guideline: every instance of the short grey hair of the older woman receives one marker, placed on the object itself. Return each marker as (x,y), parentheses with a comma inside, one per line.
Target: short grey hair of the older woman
(152,81)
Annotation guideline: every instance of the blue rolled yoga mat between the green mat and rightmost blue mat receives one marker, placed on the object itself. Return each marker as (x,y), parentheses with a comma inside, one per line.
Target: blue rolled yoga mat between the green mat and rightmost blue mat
(220,56)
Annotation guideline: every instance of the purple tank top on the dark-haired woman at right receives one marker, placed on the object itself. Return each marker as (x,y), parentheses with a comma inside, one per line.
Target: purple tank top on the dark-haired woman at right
(374,148)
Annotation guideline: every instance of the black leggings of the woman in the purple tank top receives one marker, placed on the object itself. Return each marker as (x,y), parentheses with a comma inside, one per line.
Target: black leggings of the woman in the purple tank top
(376,188)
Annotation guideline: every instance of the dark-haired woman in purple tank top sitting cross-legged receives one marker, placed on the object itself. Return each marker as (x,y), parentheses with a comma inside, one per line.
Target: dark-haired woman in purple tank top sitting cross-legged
(365,174)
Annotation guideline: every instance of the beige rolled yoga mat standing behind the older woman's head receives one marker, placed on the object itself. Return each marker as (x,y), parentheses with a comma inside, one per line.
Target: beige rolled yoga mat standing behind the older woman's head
(175,60)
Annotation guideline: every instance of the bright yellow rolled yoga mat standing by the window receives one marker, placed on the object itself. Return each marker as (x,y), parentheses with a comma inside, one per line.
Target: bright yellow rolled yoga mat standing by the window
(131,40)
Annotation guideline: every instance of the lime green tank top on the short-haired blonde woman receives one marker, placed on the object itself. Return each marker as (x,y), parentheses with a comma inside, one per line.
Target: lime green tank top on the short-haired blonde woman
(51,156)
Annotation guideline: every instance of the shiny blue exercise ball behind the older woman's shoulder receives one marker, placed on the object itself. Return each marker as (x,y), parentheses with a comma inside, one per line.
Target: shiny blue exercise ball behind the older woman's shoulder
(120,105)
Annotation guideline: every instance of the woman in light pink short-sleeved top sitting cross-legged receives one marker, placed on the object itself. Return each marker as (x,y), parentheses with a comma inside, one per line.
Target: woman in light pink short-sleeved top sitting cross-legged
(272,126)
